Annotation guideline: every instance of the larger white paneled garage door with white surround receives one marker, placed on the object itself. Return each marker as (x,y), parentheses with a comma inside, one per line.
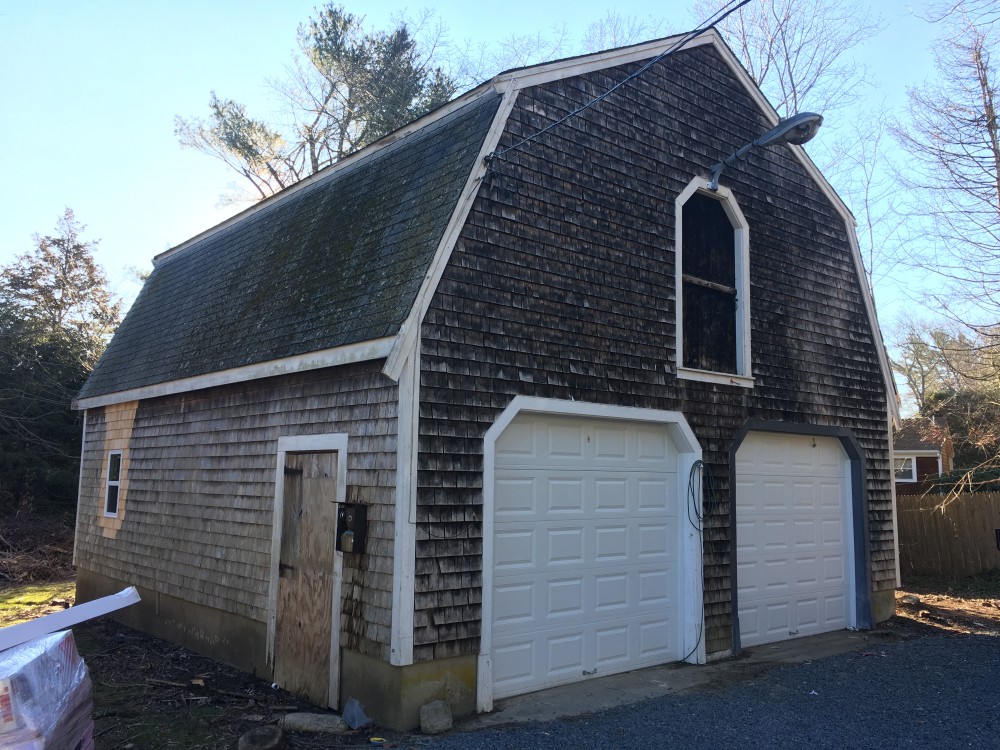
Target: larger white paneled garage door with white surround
(585,576)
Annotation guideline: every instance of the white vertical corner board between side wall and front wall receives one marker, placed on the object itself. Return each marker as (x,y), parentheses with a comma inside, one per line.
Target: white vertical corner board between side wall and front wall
(405,548)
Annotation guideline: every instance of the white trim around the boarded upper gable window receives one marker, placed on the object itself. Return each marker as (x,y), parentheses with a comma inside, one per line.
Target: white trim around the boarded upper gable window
(741,241)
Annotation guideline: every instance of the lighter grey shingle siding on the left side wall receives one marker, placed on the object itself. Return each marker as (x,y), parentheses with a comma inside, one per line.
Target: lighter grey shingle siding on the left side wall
(197,513)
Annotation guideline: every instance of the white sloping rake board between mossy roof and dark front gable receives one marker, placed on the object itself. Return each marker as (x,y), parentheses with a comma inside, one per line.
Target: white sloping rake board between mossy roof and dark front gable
(408,333)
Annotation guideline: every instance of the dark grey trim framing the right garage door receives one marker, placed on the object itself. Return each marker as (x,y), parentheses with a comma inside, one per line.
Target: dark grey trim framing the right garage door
(861,601)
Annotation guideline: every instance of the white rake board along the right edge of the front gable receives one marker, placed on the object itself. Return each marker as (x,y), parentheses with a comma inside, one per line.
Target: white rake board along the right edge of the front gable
(835,200)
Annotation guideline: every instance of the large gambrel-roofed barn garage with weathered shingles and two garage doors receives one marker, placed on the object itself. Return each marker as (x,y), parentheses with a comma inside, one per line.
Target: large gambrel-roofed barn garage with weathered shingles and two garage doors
(563,411)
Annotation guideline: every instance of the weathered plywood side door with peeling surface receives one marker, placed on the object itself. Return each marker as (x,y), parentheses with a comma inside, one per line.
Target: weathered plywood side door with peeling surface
(307,614)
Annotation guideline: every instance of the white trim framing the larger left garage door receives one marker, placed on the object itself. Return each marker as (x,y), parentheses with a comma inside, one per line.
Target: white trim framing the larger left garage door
(692,643)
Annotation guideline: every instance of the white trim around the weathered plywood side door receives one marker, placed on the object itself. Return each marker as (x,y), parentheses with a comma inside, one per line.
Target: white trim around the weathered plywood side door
(329,443)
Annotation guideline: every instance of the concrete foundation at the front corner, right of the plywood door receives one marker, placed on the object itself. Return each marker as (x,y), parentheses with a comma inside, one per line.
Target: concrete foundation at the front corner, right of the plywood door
(392,696)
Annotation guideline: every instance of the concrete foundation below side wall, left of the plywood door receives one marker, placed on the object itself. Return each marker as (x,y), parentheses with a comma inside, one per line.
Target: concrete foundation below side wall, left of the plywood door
(229,638)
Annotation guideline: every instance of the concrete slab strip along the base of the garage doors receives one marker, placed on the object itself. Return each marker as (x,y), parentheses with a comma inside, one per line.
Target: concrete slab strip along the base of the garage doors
(602,693)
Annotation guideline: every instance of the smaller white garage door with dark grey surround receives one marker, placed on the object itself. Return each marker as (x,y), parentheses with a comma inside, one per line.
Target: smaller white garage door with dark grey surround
(792,536)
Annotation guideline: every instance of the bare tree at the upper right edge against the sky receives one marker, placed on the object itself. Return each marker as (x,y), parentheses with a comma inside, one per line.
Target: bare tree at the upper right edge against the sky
(953,138)
